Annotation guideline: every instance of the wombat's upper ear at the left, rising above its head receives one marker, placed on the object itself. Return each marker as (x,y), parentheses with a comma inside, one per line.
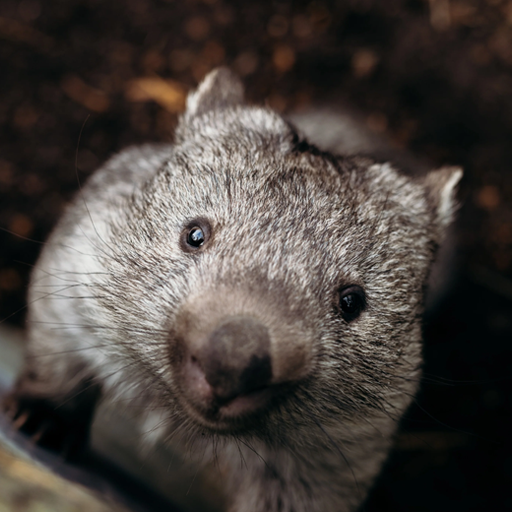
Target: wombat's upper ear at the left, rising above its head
(219,89)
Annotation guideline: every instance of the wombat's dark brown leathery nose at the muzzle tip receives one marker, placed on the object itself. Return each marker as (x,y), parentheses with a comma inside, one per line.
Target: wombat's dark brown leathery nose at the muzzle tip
(235,359)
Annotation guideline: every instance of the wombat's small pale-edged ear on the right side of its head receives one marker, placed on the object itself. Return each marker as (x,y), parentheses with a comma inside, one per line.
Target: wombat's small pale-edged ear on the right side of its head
(441,187)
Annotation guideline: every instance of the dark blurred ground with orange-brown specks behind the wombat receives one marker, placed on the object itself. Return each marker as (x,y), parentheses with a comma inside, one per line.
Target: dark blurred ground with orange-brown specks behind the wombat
(81,79)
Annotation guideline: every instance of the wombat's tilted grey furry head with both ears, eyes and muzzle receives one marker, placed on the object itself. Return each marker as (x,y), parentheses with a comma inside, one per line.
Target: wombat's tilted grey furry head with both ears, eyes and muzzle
(267,284)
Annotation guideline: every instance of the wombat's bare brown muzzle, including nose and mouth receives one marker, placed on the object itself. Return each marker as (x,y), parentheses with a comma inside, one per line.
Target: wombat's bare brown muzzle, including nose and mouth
(234,353)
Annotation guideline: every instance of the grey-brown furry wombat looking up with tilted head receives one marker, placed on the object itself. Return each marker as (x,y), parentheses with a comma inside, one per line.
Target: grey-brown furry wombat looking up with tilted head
(260,300)
